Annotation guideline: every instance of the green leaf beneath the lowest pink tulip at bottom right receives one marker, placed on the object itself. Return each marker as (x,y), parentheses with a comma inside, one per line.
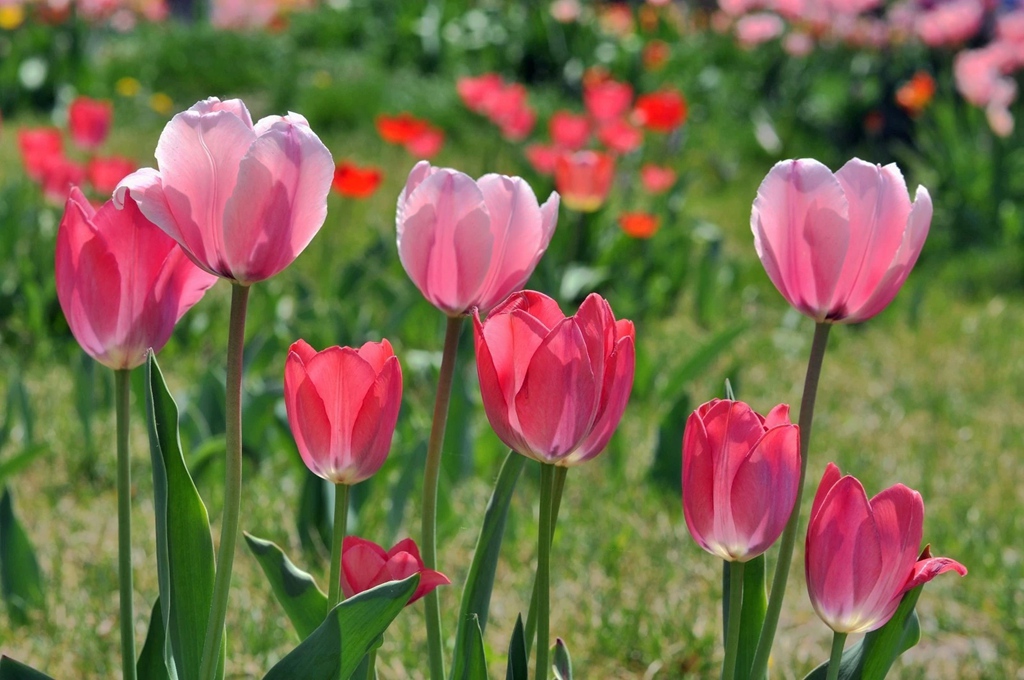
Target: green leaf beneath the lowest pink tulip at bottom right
(872,658)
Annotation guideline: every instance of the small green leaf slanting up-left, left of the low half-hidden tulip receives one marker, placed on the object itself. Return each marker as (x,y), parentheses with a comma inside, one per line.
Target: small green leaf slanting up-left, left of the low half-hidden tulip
(305,604)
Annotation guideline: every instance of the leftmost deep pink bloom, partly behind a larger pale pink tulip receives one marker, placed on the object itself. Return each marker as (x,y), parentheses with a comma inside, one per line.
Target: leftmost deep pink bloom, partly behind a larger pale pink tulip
(122,283)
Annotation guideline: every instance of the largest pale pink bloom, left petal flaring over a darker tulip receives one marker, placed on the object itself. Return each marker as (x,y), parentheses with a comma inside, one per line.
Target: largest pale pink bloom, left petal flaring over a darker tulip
(243,200)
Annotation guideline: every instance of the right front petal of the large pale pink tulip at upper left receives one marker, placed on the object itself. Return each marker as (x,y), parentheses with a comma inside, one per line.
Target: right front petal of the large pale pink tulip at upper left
(279,203)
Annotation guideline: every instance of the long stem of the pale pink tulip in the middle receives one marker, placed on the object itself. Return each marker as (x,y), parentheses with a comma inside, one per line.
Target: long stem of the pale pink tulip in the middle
(431,478)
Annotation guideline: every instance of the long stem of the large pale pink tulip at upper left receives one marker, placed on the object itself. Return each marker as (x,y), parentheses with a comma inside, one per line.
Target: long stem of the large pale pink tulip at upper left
(233,484)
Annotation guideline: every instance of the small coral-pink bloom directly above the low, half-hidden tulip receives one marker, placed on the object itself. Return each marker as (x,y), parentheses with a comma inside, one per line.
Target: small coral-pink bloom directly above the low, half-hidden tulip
(343,406)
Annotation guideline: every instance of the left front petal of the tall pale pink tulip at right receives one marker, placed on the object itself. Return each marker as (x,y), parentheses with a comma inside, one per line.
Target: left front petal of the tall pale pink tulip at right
(801,233)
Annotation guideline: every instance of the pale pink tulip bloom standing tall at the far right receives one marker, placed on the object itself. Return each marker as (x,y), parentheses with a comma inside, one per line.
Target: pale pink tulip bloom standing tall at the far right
(839,247)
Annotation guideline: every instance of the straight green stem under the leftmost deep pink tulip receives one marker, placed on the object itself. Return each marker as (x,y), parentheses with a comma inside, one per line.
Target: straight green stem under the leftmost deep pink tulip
(122,382)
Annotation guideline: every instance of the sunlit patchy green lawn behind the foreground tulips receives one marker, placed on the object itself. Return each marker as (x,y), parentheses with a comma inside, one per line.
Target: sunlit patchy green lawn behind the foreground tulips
(929,395)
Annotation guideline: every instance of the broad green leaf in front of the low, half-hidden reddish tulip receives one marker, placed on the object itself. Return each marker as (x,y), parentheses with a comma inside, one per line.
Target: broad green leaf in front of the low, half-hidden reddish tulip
(352,630)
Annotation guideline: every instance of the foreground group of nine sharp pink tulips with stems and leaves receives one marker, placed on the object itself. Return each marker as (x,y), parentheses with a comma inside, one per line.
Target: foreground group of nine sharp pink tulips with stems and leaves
(237,200)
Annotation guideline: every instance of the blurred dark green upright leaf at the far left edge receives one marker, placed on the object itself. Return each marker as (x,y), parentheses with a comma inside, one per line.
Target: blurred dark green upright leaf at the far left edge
(21,579)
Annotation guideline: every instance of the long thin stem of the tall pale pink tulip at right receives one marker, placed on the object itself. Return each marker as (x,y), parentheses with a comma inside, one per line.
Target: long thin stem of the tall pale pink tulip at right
(819,346)
